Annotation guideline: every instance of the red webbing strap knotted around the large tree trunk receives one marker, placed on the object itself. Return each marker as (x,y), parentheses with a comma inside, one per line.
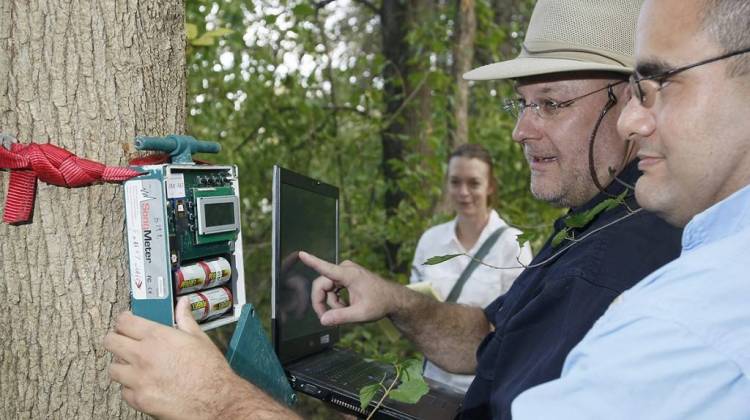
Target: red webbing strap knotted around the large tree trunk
(53,165)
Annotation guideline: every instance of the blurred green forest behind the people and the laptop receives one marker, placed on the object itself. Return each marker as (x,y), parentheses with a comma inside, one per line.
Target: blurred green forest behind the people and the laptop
(366,95)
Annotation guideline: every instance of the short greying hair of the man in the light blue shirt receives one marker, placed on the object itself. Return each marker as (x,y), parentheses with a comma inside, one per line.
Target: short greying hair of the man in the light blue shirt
(728,22)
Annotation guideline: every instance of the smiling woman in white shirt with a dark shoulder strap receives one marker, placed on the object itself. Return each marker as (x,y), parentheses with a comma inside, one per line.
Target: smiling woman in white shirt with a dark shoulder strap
(477,230)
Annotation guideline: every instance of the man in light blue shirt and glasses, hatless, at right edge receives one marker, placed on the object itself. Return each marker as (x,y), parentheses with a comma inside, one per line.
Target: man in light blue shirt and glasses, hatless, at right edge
(677,345)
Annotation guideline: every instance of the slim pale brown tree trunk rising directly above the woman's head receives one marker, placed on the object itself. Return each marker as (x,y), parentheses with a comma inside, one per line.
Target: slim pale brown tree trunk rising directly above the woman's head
(463,61)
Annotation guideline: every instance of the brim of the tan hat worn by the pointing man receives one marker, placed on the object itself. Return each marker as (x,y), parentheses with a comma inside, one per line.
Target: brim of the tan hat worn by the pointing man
(531,66)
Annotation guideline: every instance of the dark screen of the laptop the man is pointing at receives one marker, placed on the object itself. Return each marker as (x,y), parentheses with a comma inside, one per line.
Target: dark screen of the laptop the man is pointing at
(305,218)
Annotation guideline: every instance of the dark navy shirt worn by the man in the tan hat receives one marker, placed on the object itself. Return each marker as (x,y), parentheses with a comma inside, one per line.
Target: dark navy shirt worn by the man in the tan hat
(550,308)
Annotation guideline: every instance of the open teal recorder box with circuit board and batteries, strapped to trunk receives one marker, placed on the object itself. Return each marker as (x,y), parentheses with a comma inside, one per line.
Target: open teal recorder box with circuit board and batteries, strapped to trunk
(183,231)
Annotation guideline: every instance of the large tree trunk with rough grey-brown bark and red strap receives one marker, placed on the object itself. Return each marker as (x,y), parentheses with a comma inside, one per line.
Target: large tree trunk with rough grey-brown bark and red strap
(87,76)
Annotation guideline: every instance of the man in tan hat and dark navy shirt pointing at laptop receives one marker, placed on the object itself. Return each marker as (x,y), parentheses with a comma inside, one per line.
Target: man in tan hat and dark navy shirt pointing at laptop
(571,87)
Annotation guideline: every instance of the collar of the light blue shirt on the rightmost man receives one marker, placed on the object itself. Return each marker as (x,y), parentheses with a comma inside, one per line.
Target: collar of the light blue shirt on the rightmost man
(723,219)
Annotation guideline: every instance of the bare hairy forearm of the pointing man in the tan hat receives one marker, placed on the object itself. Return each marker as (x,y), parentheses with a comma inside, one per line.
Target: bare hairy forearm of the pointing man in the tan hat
(447,333)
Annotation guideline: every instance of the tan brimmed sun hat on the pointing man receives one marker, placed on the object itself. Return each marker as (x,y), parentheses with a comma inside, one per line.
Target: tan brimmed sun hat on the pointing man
(571,36)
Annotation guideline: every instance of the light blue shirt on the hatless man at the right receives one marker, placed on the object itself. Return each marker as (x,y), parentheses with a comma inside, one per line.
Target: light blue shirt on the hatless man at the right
(676,345)
